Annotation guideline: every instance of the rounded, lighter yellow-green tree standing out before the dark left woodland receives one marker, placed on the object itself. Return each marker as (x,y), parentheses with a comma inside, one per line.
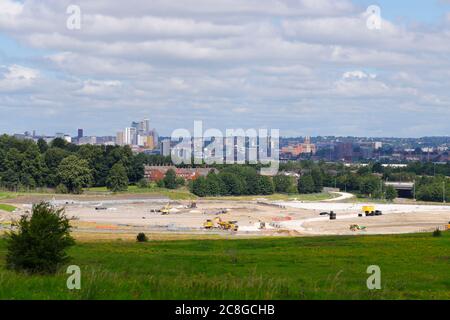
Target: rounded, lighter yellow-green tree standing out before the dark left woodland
(75,174)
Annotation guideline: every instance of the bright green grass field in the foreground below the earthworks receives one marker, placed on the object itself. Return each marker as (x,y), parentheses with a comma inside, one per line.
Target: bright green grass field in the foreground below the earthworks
(412,267)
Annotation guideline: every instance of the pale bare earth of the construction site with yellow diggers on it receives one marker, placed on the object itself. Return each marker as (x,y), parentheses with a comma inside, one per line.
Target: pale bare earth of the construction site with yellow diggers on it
(127,215)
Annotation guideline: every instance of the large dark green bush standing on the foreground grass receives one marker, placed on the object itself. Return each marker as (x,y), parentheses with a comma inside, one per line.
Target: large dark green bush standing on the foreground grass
(39,244)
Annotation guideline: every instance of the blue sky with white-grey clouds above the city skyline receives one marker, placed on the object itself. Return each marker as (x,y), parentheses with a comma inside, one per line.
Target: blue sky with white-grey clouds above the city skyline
(306,67)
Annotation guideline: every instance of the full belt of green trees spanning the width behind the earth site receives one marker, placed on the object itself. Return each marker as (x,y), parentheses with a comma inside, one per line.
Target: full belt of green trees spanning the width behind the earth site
(26,165)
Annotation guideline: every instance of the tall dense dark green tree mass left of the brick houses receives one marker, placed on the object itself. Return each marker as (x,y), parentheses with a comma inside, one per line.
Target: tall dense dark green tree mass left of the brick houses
(26,165)
